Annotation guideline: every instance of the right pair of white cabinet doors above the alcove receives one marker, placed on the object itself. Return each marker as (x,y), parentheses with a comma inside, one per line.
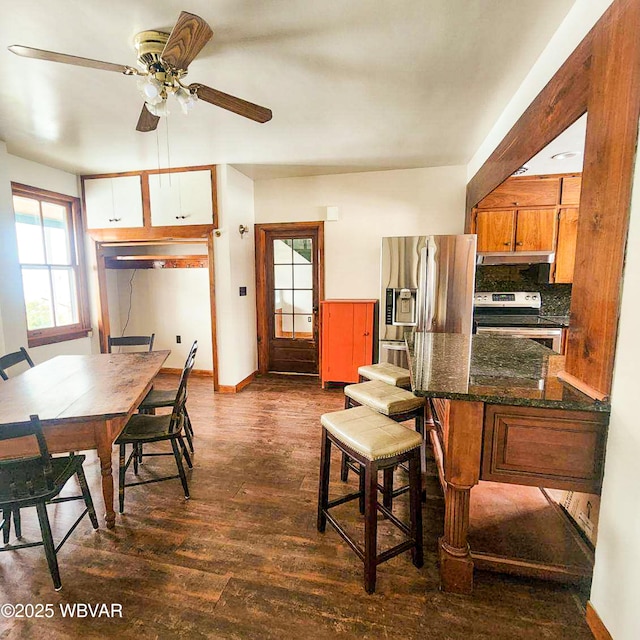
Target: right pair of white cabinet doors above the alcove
(180,198)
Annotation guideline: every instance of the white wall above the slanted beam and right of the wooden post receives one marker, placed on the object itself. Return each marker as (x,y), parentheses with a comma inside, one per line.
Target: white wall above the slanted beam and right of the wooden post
(615,589)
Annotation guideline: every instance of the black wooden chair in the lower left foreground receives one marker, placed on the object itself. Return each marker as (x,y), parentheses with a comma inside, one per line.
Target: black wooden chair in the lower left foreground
(35,482)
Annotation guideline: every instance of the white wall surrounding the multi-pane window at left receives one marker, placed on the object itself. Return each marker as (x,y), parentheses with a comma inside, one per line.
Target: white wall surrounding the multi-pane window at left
(14,325)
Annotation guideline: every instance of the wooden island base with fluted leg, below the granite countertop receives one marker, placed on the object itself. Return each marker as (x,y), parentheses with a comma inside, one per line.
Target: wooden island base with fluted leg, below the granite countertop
(492,461)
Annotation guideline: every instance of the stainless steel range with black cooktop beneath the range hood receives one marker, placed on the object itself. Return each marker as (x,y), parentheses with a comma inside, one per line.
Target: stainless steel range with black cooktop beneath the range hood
(517,314)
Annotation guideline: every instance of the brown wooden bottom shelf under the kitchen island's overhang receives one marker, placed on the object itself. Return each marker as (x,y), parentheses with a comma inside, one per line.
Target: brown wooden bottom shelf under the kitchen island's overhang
(520,530)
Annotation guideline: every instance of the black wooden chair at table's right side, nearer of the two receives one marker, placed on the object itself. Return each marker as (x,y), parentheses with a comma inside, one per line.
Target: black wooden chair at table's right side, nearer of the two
(144,428)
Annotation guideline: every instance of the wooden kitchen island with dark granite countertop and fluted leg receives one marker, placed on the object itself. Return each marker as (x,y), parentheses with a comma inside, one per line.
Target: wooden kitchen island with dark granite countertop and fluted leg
(502,418)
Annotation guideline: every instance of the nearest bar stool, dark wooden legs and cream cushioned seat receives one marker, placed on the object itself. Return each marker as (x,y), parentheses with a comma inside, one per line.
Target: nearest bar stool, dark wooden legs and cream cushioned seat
(376,443)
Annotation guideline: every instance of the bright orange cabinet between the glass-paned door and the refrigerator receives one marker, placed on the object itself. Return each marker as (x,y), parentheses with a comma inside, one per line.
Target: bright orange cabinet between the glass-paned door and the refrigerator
(347,338)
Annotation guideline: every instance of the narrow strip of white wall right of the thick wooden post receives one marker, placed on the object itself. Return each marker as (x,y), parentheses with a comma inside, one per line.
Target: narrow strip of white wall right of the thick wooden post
(615,592)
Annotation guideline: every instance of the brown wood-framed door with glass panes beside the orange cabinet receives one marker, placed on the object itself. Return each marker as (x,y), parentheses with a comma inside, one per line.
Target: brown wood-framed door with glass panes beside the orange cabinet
(289,287)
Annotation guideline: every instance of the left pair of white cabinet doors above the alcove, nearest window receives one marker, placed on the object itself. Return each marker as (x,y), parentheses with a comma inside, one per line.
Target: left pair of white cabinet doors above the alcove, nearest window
(113,202)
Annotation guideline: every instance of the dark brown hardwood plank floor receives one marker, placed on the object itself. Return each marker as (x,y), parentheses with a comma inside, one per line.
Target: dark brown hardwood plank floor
(243,559)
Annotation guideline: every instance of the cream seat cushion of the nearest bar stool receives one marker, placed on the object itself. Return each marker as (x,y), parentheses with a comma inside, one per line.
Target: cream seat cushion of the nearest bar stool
(369,433)
